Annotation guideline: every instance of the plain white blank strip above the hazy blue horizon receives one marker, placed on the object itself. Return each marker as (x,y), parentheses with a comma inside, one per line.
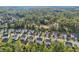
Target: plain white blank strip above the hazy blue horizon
(39,3)
